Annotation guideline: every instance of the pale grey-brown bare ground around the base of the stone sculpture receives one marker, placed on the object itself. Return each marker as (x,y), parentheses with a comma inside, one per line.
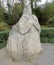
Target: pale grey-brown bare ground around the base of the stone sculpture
(46,58)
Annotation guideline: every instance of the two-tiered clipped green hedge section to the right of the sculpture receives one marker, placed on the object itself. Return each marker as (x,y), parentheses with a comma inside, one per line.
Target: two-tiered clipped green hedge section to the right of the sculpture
(47,35)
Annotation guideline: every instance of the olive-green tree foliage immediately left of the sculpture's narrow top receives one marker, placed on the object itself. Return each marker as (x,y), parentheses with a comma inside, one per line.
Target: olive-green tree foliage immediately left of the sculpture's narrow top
(17,12)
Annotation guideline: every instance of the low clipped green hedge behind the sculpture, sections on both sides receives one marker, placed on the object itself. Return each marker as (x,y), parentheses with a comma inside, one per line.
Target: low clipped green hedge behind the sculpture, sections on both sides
(47,36)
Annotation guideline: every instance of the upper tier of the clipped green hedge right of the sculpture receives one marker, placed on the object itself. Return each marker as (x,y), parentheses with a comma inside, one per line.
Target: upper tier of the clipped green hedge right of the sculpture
(47,32)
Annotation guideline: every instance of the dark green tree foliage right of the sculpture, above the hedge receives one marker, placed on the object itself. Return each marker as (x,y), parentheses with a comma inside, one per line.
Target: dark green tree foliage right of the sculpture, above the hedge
(44,15)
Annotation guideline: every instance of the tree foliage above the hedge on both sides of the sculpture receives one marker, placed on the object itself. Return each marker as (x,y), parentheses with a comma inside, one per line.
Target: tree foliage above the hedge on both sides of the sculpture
(45,15)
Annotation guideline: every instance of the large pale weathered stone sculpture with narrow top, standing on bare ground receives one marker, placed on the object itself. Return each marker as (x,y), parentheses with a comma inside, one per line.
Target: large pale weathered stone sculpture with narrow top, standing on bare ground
(24,38)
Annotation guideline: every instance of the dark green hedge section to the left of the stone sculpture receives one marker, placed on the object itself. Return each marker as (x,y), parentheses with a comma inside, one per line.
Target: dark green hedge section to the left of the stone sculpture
(3,38)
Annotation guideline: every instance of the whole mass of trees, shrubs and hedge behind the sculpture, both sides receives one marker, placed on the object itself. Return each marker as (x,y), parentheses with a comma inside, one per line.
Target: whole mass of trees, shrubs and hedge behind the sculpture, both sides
(11,17)
